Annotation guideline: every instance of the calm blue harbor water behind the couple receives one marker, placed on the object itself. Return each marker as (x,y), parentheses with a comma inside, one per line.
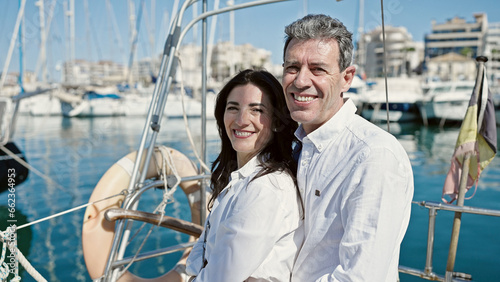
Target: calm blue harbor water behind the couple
(72,155)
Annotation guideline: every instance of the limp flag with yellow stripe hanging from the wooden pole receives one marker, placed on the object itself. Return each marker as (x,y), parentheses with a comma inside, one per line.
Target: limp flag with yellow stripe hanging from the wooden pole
(478,135)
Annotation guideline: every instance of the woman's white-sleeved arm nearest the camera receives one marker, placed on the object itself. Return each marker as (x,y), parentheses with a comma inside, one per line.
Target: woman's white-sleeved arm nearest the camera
(246,236)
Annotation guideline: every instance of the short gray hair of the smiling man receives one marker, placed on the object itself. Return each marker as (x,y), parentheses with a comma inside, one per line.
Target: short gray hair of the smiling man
(322,27)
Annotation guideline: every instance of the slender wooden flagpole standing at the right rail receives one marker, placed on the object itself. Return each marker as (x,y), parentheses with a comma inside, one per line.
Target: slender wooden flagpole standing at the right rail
(463,186)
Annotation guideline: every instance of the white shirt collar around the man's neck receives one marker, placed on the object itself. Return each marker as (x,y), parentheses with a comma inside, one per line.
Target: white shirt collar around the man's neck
(329,130)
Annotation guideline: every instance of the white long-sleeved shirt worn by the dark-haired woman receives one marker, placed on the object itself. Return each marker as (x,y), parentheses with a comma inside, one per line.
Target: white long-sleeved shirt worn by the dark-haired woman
(252,231)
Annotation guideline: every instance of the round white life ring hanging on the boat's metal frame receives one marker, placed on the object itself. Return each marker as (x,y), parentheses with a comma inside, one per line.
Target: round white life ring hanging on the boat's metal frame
(97,232)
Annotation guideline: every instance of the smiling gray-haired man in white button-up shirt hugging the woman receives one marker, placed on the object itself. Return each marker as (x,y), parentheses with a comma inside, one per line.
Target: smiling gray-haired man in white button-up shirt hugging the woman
(356,179)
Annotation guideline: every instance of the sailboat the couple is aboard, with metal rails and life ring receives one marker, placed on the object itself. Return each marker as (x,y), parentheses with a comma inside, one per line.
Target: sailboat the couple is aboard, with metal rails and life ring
(128,180)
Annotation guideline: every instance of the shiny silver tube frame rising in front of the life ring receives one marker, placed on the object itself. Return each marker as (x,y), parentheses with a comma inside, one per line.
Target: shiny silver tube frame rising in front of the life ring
(152,126)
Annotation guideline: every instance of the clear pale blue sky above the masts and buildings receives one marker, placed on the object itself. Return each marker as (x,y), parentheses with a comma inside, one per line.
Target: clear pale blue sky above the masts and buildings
(104,34)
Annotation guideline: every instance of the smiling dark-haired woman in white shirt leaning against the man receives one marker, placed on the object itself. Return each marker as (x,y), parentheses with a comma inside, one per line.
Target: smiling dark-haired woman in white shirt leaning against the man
(252,232)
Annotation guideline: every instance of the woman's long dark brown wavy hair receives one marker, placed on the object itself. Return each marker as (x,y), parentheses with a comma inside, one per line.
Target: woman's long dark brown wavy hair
(277,154)
